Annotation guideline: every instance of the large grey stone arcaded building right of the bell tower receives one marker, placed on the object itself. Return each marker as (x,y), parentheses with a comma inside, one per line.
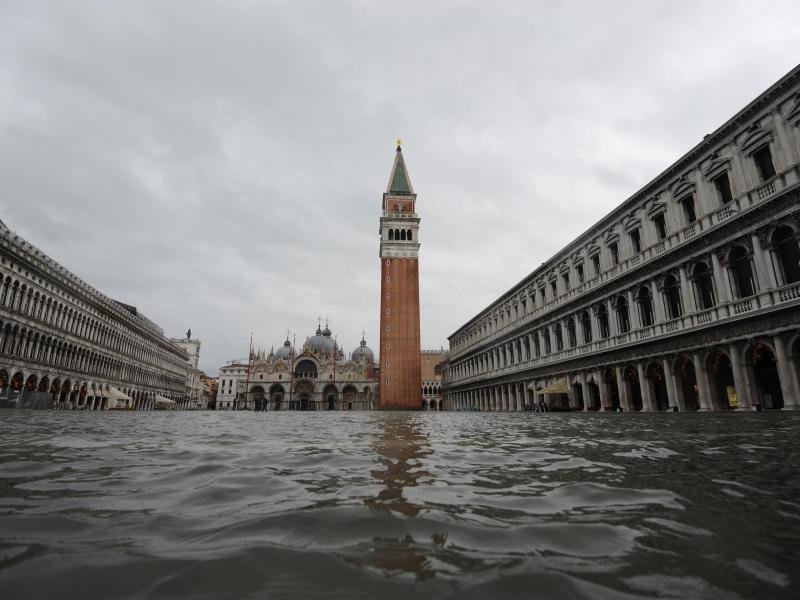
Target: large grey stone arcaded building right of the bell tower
(684,297)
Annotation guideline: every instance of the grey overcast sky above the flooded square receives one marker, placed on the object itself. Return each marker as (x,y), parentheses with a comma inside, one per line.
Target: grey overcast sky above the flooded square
(220,165)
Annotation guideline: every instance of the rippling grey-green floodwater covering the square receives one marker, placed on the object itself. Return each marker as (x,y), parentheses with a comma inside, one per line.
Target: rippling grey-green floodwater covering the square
(399,505)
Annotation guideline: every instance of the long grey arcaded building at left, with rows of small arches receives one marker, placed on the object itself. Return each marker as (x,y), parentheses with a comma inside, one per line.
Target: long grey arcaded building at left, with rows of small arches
(64,344)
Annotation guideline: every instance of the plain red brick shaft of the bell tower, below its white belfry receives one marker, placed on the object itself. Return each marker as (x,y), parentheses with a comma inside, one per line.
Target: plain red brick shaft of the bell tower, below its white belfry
(400,346)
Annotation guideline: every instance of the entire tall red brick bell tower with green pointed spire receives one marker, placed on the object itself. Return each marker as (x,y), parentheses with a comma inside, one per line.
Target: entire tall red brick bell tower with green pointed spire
(400,362)
